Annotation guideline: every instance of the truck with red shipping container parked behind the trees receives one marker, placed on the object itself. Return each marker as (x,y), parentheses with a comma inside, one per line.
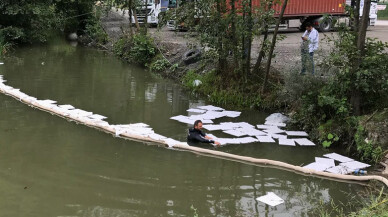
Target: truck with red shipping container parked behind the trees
(320,13)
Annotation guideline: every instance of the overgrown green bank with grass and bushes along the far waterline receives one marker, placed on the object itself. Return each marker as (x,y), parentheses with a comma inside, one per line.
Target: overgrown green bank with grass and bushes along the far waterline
(320,105)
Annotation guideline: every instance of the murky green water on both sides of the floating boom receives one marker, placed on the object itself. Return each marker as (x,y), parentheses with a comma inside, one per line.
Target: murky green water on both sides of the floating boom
(51,167)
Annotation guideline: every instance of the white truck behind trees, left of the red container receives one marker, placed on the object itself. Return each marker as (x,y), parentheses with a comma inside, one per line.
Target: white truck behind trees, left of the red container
(150,9)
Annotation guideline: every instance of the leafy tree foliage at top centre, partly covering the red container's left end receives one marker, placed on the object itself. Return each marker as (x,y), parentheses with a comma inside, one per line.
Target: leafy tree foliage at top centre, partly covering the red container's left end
(226,28)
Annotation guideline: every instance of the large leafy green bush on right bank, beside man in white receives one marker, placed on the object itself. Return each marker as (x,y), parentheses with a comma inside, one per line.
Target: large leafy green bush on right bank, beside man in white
(329,107)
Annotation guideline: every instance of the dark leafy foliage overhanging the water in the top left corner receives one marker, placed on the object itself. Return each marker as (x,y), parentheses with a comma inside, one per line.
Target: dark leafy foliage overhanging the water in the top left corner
(29,21)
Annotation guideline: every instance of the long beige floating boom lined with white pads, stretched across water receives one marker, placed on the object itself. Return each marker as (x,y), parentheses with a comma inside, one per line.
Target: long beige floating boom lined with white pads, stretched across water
(142,132)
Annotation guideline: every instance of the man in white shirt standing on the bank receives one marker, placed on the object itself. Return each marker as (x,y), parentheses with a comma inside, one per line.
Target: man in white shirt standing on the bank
(310,42)
